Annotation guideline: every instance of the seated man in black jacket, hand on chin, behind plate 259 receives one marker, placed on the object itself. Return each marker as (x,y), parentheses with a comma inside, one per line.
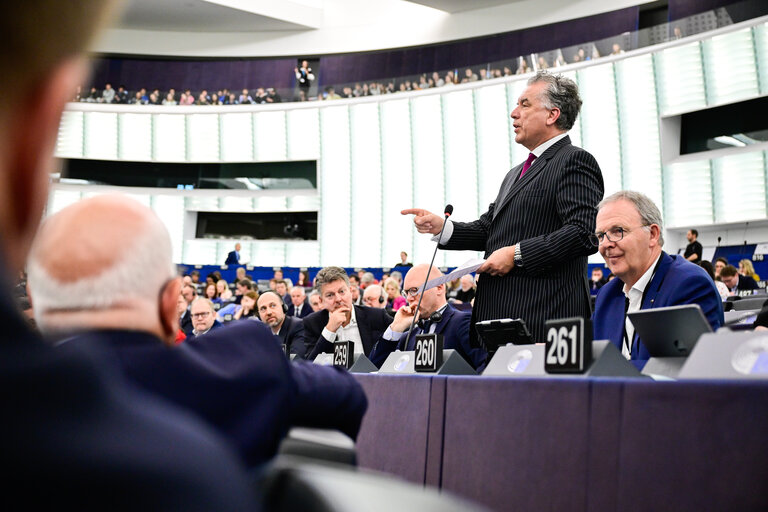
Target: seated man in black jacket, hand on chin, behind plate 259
(340,320)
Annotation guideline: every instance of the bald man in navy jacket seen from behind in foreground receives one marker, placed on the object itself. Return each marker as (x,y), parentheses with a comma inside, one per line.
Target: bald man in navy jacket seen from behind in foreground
(236,378)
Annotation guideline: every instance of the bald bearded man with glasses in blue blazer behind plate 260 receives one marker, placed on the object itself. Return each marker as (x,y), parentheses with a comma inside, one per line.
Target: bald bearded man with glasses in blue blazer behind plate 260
(434,316)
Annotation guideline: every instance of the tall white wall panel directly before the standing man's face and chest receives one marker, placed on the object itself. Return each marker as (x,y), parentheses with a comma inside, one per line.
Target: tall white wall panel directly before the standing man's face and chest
(492,125)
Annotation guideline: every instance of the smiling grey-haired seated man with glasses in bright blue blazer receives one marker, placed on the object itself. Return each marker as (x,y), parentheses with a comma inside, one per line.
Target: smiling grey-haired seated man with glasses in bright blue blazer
(629,234)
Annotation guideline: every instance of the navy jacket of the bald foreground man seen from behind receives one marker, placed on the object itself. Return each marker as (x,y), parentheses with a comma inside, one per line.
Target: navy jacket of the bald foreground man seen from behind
(238,380)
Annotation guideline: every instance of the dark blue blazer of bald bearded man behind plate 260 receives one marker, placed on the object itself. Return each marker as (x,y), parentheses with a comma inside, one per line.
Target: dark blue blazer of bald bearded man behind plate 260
(454,326)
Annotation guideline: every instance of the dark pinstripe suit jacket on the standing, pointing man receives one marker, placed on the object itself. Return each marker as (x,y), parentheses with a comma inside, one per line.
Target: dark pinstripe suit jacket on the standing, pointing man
(551,212)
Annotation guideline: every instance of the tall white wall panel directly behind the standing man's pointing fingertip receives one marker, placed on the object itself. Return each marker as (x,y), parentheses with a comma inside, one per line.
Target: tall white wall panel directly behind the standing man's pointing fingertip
(397,230)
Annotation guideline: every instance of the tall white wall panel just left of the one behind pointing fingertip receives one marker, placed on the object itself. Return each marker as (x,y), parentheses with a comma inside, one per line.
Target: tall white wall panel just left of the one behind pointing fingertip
(366,183)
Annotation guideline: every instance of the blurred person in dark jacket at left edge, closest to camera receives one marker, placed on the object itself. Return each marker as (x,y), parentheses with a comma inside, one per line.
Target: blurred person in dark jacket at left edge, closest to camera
(76,435)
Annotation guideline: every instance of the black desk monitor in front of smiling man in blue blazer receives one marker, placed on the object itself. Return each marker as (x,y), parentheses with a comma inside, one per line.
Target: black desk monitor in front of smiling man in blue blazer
(672,331)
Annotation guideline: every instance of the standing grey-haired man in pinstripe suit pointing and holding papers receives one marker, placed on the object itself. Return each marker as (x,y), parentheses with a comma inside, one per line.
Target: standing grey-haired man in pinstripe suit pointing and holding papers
(536,234)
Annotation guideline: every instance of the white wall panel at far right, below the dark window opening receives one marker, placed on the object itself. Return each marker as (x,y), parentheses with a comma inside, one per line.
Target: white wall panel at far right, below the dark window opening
(739,187)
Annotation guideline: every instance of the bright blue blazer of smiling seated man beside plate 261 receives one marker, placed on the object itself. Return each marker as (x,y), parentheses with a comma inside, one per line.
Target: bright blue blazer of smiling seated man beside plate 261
(676,282)
